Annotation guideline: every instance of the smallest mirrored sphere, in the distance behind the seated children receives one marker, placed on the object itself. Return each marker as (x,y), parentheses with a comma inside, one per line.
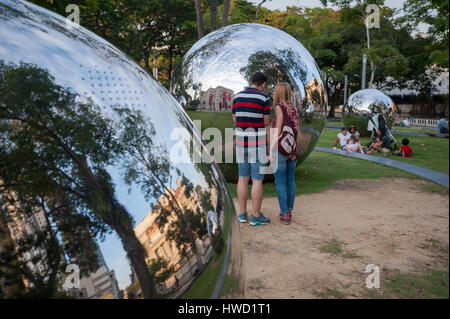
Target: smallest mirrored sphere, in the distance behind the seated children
(364,105)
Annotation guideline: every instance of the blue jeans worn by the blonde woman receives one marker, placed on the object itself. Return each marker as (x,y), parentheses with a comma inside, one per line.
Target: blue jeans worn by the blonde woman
(285,182)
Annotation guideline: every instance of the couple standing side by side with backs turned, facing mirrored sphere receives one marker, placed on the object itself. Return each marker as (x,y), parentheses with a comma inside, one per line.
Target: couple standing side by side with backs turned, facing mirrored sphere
(251,114)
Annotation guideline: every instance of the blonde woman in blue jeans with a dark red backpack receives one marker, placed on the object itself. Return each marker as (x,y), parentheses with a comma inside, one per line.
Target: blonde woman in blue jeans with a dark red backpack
(285,114)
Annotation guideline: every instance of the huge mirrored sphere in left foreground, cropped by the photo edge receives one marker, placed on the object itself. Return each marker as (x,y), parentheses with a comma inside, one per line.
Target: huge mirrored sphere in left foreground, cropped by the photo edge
(164,219)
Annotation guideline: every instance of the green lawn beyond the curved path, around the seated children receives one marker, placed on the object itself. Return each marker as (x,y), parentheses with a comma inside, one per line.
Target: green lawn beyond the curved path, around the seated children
(428,152)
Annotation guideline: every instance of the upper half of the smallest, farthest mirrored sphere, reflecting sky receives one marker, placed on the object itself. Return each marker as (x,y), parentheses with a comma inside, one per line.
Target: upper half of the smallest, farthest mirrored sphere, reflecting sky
(368,102)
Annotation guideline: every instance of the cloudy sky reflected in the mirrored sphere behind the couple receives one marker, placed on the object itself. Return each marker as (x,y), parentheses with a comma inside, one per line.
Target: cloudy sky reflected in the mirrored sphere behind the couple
(216,59)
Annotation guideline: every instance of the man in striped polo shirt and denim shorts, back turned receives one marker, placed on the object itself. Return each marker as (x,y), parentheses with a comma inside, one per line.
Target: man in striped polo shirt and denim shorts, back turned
(251,113)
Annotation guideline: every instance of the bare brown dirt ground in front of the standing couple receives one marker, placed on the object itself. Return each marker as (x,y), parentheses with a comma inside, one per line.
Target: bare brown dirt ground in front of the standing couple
(387,222)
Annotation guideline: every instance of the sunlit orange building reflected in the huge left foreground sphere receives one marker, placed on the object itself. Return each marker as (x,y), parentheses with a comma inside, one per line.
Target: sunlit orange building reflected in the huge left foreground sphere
(158,246)
